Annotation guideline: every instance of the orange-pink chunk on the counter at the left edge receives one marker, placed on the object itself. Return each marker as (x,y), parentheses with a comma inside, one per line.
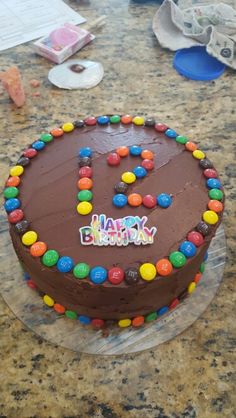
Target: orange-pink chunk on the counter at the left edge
(11,81)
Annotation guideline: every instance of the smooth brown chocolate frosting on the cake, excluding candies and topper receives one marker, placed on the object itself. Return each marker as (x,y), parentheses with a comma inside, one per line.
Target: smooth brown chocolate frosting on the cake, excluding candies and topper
(49,197)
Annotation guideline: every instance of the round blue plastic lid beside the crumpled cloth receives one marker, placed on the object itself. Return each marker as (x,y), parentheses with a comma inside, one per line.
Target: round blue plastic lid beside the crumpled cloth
(195,63)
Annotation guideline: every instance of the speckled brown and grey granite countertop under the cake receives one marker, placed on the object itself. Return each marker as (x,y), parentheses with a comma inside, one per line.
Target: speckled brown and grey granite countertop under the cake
(192,375)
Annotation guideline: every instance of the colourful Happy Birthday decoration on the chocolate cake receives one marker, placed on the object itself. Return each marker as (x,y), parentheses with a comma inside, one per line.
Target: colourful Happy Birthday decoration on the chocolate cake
(104,231)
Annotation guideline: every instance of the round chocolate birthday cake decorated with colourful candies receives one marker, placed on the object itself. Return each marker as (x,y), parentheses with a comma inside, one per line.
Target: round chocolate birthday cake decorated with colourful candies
(111,218)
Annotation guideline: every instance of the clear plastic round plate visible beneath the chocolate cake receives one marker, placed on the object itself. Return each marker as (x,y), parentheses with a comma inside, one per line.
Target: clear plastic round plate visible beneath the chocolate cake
(28,306)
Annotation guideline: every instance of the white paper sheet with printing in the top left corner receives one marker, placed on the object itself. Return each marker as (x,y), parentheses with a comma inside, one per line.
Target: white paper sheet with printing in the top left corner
(24,20)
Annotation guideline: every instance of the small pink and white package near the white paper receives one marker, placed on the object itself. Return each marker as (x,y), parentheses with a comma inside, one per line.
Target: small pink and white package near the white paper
(62,42)
